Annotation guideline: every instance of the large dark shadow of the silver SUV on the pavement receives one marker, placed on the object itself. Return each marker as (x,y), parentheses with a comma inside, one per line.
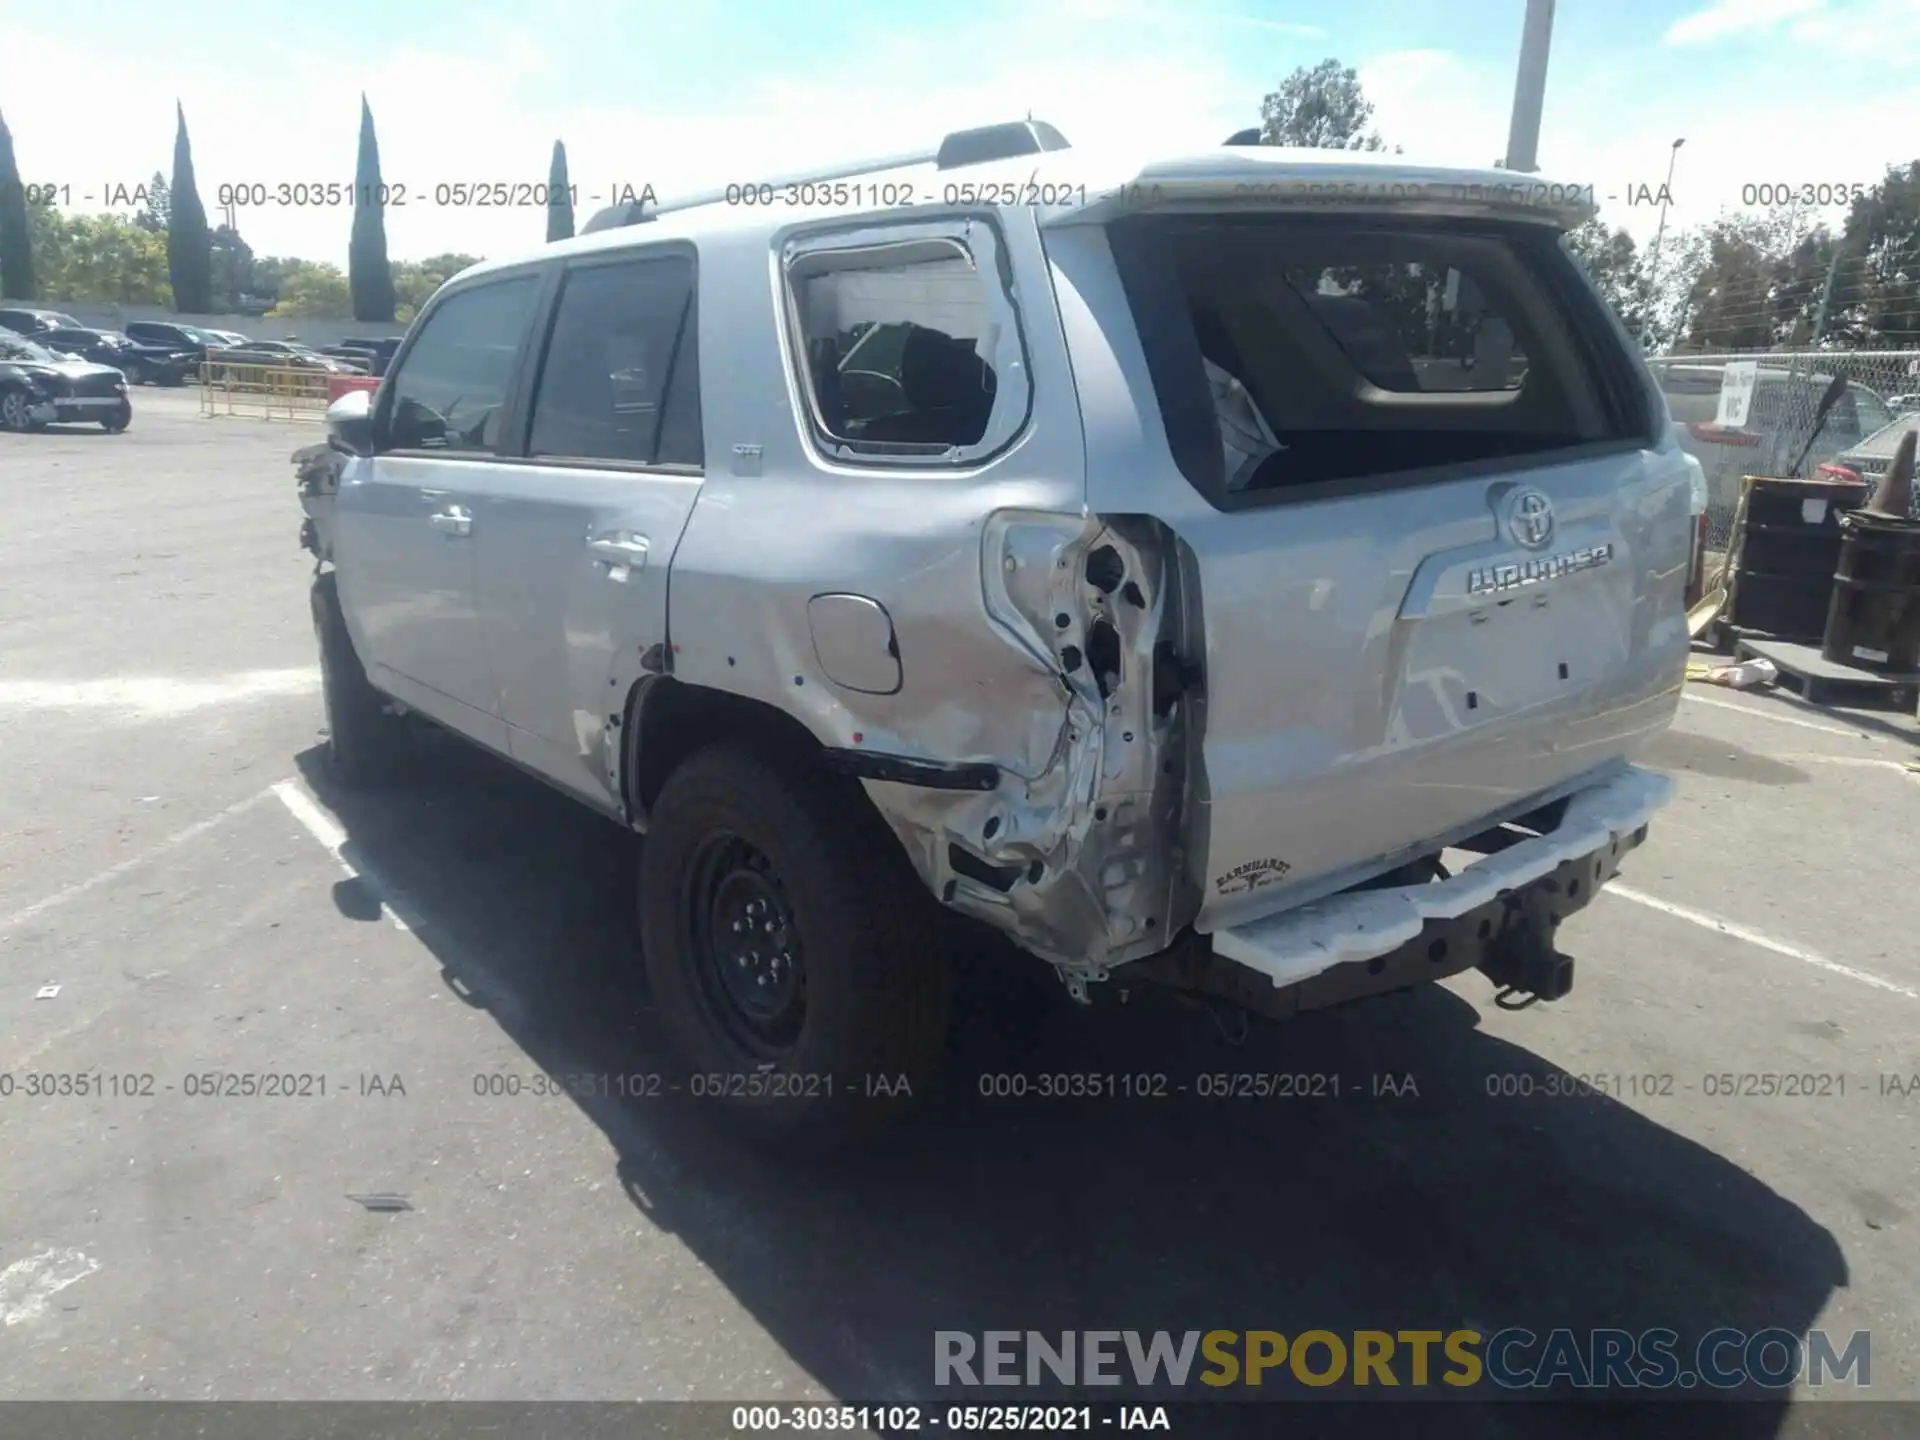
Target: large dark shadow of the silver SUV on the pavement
(1416,1199)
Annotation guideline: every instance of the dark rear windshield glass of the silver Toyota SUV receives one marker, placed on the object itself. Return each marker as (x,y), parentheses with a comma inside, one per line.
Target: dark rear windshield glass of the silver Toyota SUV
(1293,352)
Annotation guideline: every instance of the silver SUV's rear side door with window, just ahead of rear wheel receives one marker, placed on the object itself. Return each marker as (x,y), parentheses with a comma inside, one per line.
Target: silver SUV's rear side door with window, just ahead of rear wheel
(581,521)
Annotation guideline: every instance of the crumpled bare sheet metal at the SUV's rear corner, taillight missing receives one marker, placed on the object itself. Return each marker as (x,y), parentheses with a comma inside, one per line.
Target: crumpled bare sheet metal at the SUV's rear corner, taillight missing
(1086,848)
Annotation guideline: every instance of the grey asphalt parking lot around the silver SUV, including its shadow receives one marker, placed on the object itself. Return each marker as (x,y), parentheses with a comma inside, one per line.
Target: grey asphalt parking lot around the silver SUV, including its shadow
(174,861)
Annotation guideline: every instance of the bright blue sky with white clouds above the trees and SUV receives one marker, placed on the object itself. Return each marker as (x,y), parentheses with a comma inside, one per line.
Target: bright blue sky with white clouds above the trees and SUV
(704,93)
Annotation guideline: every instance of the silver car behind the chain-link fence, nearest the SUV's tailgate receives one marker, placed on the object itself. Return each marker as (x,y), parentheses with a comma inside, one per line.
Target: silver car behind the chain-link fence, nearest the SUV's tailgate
(1781,420)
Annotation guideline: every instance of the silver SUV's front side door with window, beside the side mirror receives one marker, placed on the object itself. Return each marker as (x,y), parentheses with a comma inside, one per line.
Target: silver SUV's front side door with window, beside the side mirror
(408,517)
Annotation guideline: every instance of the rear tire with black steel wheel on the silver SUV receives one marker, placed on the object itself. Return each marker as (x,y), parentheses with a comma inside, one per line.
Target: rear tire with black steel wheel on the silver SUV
(857,934)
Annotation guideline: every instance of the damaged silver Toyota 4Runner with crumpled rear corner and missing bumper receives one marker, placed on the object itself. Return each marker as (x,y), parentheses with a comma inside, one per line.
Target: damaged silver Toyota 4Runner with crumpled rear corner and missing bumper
(1249,571)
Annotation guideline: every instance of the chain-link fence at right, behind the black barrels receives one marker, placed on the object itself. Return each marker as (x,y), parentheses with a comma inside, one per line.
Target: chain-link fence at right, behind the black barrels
(1779,435)
